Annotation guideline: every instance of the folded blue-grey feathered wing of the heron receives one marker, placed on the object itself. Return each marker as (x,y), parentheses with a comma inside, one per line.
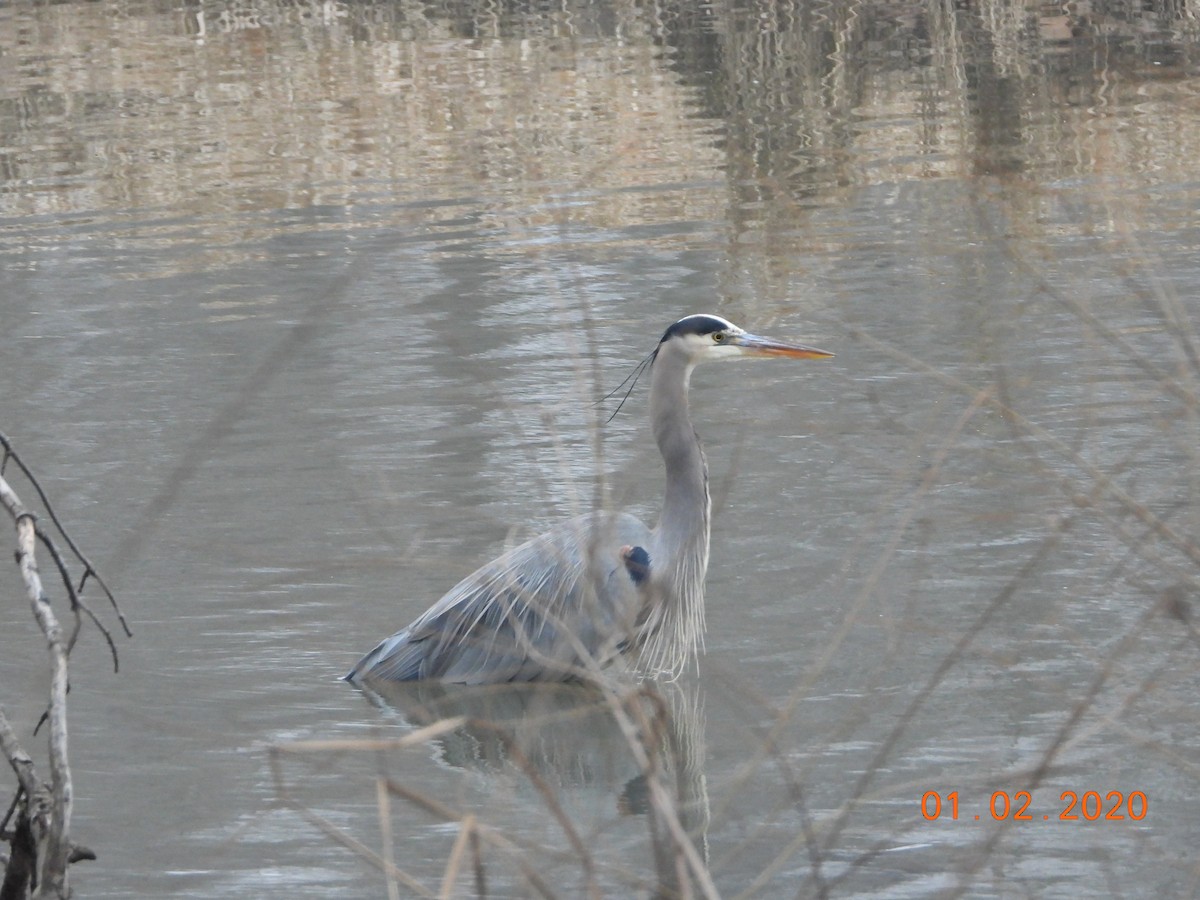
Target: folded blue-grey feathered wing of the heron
(549,610)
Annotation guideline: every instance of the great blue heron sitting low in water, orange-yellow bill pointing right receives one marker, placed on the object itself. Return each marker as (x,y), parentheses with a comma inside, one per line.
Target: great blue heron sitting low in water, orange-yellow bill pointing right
(568,603)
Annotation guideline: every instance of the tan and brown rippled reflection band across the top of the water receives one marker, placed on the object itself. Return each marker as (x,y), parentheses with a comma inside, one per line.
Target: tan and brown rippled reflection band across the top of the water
(190,106)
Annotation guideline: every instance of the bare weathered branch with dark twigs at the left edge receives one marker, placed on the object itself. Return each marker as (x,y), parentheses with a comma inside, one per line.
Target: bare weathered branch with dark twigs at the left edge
(38,824)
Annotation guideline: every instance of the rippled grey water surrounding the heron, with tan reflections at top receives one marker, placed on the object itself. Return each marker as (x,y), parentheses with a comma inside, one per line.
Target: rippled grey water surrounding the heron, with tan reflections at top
(305,310)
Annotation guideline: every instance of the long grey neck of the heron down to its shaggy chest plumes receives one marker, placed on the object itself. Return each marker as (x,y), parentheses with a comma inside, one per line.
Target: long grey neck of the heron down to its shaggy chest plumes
(680,553)
